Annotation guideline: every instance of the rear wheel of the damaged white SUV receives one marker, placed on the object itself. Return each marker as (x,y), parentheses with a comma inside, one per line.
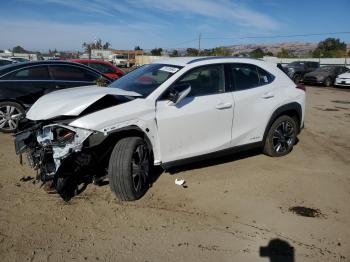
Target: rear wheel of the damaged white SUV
(281,137)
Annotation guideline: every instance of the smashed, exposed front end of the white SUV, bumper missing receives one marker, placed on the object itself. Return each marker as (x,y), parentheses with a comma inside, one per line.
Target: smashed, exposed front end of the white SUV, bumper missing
(65,157)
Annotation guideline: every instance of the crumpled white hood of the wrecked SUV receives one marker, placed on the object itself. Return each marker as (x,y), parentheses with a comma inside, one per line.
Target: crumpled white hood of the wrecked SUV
(71,102)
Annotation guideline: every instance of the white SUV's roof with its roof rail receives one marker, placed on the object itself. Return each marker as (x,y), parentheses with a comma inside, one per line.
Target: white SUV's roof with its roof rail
(183,61)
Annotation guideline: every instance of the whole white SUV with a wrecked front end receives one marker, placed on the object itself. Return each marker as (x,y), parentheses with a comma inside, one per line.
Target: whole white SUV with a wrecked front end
(165,113)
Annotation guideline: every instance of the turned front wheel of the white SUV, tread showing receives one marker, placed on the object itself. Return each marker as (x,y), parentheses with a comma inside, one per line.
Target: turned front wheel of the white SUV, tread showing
(129,169)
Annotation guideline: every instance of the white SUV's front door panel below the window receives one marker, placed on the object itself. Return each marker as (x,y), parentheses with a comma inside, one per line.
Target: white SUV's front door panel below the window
(195,126)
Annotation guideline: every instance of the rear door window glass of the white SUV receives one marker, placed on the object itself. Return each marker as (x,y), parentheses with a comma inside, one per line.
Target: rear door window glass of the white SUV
(245,76)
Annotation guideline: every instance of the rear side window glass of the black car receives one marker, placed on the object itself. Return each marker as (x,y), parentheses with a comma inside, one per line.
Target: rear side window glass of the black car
(72,73)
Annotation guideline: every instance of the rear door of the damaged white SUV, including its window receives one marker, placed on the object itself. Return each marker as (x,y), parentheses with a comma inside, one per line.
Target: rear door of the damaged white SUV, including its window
(255,97)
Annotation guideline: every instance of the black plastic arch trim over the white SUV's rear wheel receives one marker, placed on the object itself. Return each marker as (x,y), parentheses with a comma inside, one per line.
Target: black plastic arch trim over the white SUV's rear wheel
(293,110)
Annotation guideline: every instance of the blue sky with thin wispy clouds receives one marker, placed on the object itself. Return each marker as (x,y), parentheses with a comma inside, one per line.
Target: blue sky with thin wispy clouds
(40,25)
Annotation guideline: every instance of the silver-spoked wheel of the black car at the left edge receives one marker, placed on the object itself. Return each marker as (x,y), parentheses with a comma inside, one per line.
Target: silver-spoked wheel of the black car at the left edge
(10,113)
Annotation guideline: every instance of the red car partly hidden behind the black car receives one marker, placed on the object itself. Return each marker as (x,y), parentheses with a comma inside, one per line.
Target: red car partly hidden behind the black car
(105,68)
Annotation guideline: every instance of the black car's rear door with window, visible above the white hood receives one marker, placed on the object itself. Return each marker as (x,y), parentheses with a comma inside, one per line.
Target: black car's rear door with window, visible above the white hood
(66,76)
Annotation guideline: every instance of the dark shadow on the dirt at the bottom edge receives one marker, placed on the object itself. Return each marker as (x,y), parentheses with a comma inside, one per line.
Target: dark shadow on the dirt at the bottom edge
(278,251)
